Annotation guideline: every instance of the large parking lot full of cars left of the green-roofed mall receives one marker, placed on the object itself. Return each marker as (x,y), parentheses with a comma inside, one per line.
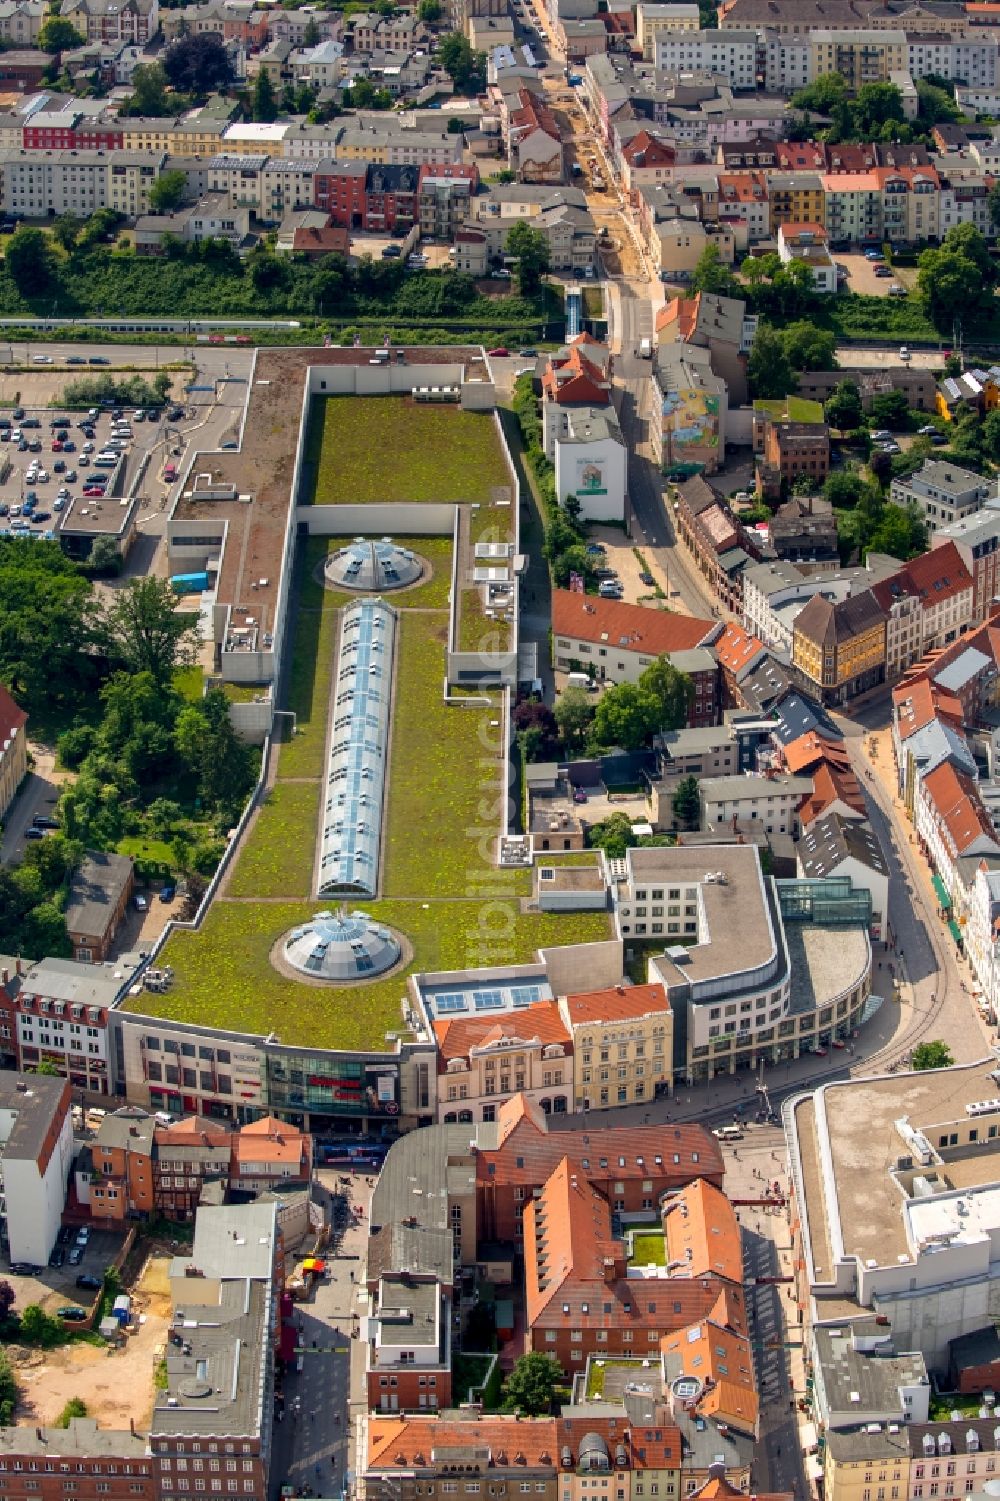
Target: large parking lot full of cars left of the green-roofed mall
(53,471)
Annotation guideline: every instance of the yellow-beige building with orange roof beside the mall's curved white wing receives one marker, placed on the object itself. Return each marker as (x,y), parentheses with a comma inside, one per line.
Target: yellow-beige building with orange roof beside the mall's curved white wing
(622,1045)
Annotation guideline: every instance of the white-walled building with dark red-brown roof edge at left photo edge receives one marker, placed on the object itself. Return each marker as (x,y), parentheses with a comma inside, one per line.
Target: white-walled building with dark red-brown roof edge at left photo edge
(37,1149)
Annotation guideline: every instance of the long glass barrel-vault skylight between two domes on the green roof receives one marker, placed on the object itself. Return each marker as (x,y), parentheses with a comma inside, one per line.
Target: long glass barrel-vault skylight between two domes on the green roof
(351,814)
